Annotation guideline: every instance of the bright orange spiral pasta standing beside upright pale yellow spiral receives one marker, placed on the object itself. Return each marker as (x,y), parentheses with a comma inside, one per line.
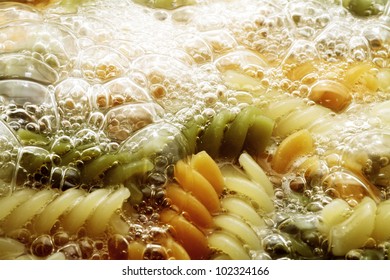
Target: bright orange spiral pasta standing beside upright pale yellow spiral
(198,198)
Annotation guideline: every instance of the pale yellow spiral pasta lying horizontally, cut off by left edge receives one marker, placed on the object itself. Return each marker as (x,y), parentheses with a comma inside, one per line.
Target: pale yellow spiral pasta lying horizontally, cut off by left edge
(73,208)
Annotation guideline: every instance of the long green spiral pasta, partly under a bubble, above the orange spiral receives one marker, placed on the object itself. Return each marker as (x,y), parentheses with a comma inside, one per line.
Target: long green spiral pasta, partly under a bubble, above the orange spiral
(226,136)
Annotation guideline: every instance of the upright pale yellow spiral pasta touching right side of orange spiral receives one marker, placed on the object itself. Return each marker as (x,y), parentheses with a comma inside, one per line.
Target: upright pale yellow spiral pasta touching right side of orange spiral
(242,219)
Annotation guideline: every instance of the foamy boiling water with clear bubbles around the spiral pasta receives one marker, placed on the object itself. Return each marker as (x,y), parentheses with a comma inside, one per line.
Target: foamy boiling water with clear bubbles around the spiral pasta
(85,80)
